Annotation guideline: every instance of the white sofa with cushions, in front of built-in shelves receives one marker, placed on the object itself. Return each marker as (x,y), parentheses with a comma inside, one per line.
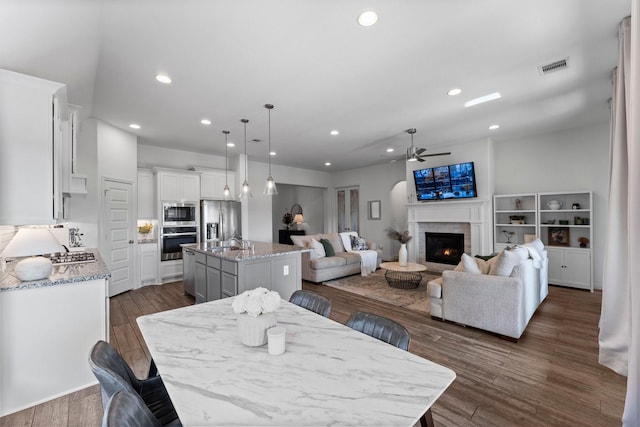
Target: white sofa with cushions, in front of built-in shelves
(499,295)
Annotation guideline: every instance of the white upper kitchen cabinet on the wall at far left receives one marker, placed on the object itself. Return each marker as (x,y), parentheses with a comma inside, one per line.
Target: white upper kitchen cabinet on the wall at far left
(31,134)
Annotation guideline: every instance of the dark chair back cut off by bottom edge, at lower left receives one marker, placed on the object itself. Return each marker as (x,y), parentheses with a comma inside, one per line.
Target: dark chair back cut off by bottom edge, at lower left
(127,410)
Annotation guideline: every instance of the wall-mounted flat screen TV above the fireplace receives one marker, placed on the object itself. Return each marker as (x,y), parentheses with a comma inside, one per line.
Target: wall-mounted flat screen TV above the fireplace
(445,182)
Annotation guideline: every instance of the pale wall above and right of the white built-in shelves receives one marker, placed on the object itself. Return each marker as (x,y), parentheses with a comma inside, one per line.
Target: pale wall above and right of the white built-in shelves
(571,160)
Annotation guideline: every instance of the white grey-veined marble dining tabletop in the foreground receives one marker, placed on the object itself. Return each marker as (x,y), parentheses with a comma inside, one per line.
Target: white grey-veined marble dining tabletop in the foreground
(329,374)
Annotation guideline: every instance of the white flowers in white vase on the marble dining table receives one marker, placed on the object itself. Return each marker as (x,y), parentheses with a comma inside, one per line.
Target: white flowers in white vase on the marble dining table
(256,311)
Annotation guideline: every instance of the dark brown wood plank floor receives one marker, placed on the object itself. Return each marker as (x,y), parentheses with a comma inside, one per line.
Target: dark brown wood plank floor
(551,377)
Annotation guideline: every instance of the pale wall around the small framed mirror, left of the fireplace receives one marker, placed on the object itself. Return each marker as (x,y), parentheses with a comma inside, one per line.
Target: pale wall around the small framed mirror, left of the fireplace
(375,183)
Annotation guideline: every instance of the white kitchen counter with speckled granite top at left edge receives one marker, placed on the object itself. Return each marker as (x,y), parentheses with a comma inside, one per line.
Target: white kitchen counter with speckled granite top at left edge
(47,328)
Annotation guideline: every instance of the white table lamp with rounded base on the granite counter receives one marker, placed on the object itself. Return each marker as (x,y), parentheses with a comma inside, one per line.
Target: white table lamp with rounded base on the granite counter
(30,242)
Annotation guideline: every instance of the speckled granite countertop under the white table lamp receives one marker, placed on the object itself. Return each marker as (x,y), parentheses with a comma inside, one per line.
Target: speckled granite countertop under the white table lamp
(61,274)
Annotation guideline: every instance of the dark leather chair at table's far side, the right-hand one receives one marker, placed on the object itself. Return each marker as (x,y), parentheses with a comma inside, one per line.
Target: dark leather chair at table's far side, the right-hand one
(389,331)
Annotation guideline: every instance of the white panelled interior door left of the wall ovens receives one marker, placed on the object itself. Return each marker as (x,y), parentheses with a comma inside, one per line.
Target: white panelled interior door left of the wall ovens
(119,229)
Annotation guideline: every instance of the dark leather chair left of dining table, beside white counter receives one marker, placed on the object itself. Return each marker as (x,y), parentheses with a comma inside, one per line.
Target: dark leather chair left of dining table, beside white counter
(115,375)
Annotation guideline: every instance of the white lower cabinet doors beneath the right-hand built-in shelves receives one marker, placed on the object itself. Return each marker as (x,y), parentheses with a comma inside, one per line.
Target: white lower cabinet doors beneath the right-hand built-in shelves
(570,267)
